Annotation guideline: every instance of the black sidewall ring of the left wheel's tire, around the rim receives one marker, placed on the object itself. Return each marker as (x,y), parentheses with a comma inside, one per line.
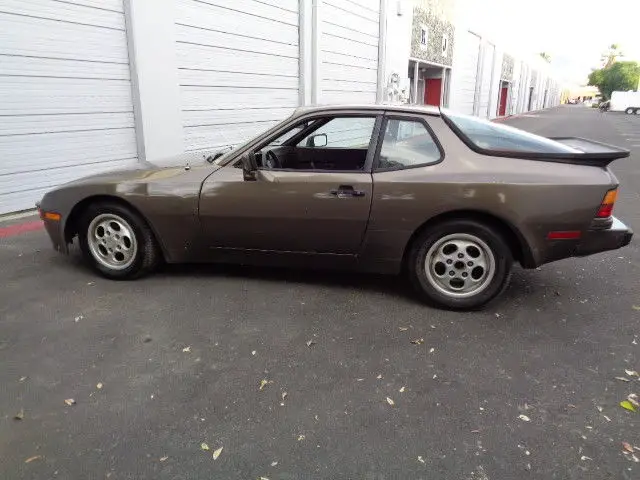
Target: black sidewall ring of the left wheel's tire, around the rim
(133,220)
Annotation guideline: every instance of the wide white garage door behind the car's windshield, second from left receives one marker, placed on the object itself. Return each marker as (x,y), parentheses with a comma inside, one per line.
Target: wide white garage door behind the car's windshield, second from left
(238,68)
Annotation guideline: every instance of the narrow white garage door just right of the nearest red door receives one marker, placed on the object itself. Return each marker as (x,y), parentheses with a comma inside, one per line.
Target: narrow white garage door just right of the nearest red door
(467,71)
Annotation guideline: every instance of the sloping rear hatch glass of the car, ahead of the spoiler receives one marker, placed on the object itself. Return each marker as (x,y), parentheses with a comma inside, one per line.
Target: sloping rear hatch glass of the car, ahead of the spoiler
(494,136)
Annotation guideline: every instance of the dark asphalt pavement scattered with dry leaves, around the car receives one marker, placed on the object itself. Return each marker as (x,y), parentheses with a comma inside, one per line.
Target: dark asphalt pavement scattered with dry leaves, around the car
(289,372)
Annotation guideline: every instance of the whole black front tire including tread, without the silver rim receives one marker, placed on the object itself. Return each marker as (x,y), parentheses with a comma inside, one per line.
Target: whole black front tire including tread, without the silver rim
(147,255)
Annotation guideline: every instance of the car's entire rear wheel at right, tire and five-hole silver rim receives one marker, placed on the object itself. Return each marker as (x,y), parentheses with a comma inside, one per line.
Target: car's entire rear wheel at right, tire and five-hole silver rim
(459,264)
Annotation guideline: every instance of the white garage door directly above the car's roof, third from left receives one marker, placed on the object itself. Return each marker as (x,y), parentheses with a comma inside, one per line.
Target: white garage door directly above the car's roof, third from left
(349,51)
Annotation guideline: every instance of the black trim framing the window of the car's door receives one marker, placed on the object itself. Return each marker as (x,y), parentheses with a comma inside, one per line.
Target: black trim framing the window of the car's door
(371,149)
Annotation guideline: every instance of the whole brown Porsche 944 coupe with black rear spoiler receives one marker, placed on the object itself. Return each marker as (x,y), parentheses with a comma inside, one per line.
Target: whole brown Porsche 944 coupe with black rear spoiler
(451,200)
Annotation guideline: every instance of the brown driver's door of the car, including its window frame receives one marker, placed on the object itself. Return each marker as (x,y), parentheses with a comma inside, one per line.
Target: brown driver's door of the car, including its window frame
(313,195)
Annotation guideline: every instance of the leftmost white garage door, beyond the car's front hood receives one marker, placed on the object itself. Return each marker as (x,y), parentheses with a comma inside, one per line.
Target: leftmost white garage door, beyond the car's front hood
(65,95)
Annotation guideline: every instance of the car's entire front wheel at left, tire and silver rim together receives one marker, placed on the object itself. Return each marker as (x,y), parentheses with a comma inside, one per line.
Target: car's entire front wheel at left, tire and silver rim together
(116,242)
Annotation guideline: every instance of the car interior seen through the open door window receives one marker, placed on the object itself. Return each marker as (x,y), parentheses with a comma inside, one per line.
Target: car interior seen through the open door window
(333,143)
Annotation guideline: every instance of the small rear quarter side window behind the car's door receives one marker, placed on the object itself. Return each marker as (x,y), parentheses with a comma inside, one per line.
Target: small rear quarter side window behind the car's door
(406,144)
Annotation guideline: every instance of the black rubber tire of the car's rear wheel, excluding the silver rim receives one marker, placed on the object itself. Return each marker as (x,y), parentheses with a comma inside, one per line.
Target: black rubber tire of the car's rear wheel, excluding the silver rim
(502,255)
